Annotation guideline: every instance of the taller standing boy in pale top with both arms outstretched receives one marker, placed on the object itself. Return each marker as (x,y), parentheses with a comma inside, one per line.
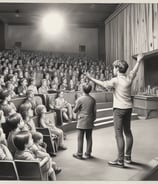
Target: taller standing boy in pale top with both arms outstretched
(122,107)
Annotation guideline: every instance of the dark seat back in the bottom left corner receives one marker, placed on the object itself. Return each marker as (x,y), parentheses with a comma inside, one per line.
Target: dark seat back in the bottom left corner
(8,170)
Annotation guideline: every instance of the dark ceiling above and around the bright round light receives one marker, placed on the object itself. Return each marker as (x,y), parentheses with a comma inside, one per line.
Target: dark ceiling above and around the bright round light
(85,14)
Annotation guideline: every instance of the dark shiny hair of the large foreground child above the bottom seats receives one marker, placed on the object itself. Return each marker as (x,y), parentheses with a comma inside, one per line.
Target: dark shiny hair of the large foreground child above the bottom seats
(21,139)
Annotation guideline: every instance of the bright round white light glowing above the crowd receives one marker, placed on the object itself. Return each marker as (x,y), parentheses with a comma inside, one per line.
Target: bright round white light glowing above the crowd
(53,23)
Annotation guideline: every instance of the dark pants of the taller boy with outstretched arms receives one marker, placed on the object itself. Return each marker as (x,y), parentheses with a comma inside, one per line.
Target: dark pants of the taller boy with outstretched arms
(122,124)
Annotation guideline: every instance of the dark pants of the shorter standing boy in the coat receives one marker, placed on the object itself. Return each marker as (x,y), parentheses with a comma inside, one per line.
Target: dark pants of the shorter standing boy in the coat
(81,133)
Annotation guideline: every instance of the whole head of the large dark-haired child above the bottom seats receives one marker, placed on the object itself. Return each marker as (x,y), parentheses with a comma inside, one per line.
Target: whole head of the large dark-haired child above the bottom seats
(23,140)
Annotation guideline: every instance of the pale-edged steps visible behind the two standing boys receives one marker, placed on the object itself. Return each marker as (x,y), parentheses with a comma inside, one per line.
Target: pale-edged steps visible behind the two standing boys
(104,117)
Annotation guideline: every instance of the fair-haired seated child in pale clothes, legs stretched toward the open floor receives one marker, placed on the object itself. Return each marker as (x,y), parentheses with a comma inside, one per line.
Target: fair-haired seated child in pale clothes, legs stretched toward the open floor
(47,123)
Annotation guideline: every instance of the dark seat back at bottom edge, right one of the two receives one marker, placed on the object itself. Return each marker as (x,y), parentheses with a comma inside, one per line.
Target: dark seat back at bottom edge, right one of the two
(28,170)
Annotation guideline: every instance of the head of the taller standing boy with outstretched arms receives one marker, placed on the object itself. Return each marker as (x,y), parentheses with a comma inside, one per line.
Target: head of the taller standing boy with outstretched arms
(119,66)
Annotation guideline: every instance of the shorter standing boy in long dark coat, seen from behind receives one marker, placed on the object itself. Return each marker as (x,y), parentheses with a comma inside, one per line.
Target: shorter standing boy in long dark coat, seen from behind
(86,114)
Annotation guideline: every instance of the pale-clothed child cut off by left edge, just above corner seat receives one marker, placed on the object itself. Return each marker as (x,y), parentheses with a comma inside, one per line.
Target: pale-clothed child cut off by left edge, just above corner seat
(5,154)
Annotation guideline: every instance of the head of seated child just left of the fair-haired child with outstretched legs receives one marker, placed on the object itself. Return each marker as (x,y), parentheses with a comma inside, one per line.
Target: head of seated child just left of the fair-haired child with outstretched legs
(26,110)
